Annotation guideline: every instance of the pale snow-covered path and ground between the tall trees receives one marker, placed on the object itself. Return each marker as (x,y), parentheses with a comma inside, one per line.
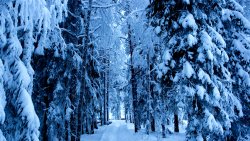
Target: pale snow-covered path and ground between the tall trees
(121,131)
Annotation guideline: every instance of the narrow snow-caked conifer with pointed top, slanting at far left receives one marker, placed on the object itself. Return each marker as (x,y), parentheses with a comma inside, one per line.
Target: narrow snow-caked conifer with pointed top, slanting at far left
(17,92)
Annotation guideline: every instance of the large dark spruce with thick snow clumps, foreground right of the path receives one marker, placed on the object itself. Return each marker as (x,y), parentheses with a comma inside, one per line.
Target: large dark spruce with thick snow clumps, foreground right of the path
(194,58)
